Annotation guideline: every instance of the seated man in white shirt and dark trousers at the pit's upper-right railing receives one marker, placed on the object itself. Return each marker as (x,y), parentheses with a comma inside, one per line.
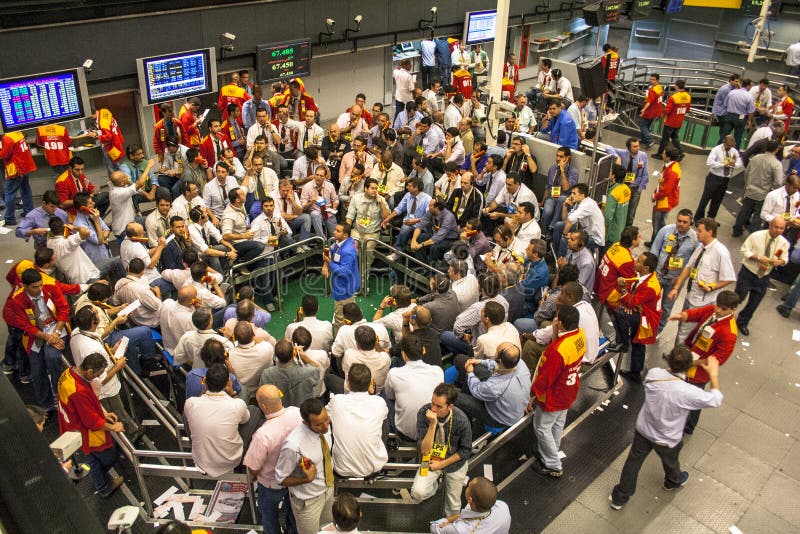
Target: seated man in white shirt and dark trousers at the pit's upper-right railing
(581,209)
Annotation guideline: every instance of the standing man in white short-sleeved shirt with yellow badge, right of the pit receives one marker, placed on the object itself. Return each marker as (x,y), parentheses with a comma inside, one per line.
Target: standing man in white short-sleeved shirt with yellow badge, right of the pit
(709,270)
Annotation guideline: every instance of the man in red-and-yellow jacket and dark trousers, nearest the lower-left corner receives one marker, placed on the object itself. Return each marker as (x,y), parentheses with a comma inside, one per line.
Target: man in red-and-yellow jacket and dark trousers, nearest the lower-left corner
(79,410)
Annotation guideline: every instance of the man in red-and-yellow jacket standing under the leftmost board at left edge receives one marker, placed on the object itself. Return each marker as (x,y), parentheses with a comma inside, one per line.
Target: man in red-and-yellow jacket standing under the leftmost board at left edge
(18,161)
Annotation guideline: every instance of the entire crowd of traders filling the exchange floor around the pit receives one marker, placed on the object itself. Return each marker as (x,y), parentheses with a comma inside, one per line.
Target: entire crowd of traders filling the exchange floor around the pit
(300,407)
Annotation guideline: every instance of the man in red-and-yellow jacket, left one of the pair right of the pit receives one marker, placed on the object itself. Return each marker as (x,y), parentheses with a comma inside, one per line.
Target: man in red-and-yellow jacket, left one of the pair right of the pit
(617,263)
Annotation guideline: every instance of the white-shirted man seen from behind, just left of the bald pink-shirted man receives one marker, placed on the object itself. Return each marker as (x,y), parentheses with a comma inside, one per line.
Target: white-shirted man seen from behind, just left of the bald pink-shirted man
(212,421)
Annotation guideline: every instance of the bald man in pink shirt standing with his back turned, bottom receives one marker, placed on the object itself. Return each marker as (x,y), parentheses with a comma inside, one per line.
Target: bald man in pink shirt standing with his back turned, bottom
(263,454)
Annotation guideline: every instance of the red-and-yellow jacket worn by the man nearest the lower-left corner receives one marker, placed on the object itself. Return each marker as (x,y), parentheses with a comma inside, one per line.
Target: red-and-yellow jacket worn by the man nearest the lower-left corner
(79,410)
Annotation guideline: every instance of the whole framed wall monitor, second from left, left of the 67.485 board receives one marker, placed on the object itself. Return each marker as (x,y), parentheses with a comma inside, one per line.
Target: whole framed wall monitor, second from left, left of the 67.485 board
(179,75)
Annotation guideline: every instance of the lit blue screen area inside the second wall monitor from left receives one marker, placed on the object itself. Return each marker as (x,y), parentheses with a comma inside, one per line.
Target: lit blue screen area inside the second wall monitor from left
(176,76)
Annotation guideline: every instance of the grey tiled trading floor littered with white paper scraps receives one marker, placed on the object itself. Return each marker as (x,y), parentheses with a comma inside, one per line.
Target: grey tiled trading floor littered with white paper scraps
(741,459)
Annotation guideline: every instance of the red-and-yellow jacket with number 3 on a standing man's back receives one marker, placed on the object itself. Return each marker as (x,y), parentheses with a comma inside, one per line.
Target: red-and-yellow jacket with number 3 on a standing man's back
(557,376)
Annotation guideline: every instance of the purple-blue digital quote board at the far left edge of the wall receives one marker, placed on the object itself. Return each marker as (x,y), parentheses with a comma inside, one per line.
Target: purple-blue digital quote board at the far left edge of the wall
(29,101)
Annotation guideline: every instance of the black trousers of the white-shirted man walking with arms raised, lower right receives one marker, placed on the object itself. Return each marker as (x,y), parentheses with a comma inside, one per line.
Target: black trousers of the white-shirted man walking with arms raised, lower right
(640,449)
